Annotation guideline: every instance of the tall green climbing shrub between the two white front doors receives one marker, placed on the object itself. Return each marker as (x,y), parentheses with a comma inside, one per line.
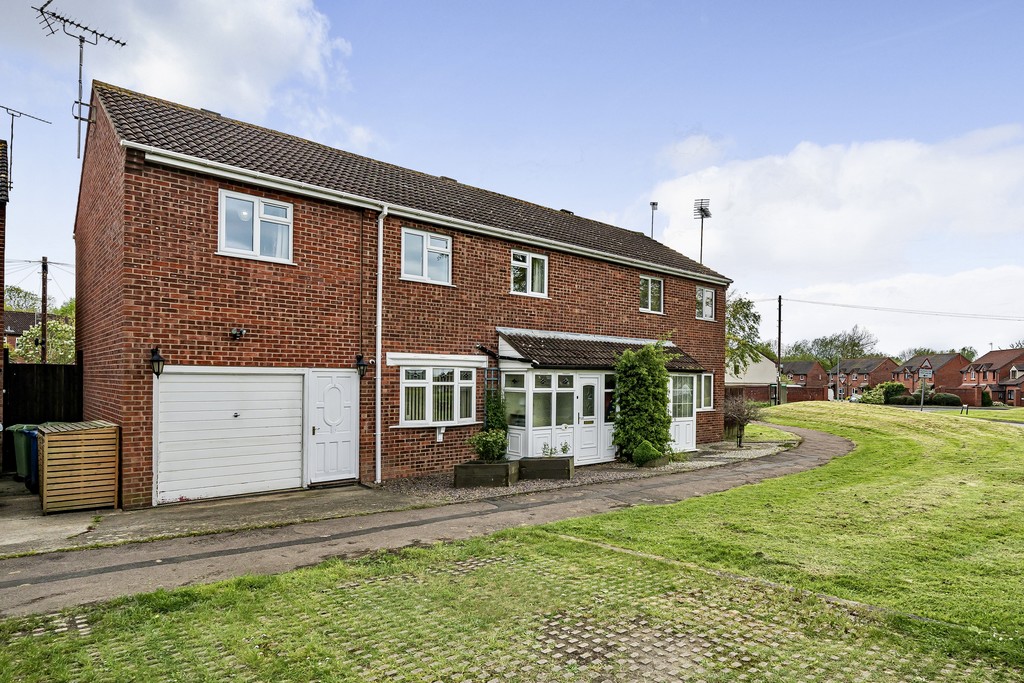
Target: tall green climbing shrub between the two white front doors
(643,400)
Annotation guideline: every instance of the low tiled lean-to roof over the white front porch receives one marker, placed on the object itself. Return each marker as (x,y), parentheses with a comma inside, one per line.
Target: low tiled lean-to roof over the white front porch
(556,350)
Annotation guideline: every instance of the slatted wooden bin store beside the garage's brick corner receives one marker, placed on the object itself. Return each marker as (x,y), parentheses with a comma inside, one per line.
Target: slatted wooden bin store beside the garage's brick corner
(78,465)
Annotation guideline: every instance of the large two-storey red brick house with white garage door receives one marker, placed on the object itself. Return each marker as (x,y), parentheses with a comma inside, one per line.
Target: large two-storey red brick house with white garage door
(267,270)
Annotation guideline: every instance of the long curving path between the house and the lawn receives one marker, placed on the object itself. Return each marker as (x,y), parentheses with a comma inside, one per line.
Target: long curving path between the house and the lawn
(52,582)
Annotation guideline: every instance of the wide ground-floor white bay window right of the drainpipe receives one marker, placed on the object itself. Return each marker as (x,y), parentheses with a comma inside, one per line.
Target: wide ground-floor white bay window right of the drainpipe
(438,396)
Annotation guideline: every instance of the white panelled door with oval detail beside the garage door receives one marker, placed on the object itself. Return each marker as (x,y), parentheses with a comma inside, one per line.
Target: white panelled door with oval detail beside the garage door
(334,433)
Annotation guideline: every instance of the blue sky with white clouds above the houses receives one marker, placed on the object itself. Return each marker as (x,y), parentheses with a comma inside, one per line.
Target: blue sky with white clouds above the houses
(865,154)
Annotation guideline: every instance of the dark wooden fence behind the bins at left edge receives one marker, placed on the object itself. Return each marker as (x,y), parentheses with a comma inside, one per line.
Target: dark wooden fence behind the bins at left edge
(37,394)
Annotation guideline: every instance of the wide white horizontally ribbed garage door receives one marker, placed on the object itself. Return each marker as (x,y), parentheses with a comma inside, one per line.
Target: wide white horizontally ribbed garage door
(224,435)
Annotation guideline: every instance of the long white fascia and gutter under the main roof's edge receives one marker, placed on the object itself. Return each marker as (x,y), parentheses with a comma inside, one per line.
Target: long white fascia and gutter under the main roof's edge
(189,163)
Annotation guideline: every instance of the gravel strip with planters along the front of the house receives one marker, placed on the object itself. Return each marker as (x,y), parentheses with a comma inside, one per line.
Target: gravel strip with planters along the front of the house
(436,489)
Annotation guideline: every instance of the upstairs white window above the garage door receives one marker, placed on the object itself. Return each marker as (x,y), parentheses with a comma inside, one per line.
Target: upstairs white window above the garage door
(254,228)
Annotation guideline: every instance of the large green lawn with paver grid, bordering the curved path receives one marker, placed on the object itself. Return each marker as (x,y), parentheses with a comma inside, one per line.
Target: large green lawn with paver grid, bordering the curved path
(924,520)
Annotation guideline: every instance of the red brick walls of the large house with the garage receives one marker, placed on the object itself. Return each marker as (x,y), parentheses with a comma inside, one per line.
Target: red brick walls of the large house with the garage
(172,290)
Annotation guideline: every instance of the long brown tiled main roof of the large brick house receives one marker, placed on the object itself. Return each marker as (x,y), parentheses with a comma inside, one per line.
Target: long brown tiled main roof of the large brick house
(205,136)
